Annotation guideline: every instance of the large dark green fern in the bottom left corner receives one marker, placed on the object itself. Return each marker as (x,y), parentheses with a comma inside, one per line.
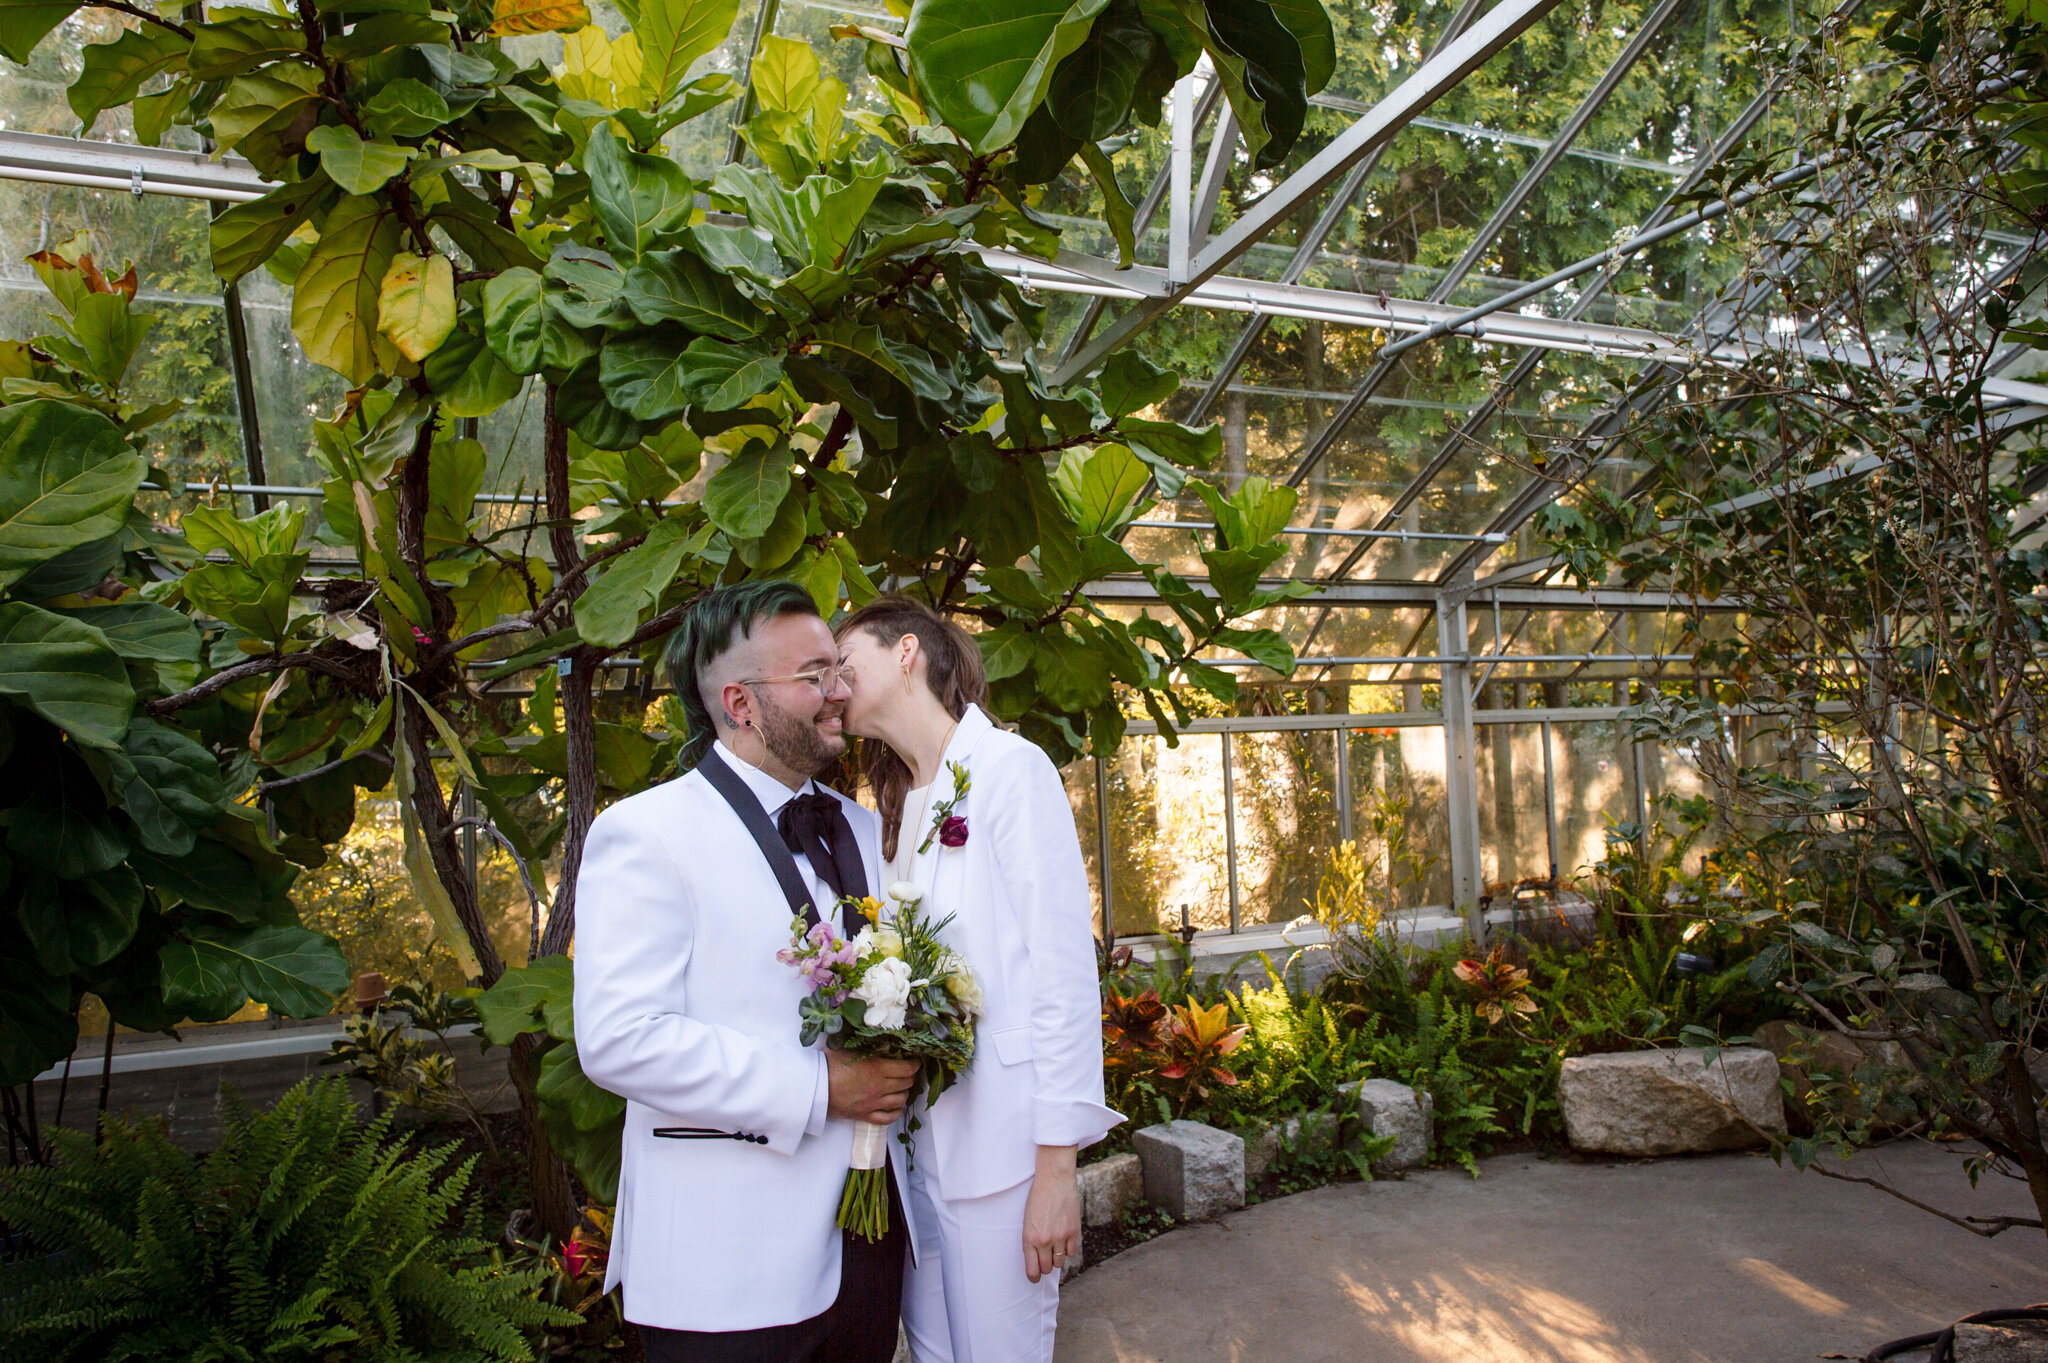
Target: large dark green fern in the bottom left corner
(304,1237)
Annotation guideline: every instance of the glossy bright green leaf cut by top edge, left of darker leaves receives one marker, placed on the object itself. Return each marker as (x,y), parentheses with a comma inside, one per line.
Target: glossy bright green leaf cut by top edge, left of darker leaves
(984,64)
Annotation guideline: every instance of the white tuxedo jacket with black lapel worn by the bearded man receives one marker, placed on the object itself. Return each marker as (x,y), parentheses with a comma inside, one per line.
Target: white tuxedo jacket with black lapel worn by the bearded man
(685,1012)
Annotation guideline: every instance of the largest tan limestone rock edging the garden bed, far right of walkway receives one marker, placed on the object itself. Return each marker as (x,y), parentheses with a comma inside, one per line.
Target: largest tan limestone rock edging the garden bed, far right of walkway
(1670,1102)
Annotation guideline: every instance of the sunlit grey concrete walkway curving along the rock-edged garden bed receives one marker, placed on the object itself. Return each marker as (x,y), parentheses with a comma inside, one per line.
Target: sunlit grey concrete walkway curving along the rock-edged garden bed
(1721,1260)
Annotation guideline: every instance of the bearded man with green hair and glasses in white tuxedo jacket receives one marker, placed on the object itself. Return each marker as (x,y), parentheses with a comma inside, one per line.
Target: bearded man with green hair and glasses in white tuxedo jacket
(738,1137)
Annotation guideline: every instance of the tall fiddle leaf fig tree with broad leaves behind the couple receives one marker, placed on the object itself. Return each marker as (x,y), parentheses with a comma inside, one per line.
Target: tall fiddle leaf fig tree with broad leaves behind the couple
(800,367)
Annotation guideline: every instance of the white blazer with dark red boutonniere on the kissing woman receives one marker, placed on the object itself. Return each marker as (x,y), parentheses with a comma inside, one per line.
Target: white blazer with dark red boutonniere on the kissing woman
(1023,922)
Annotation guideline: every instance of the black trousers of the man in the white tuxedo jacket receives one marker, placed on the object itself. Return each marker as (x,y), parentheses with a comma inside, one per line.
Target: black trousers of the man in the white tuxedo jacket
(859,1327)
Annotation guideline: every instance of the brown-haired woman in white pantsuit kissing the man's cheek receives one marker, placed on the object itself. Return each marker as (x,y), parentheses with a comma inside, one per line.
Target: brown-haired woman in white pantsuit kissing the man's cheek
(994,1180)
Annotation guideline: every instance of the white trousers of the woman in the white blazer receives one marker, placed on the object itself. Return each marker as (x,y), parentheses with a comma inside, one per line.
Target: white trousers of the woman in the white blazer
(968,1299)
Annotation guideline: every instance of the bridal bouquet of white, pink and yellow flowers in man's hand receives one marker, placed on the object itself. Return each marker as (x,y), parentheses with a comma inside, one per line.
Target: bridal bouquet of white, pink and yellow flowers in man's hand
(894,992)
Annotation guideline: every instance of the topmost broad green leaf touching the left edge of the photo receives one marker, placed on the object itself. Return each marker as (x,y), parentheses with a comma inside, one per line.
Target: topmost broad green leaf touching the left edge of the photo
(67,480)
